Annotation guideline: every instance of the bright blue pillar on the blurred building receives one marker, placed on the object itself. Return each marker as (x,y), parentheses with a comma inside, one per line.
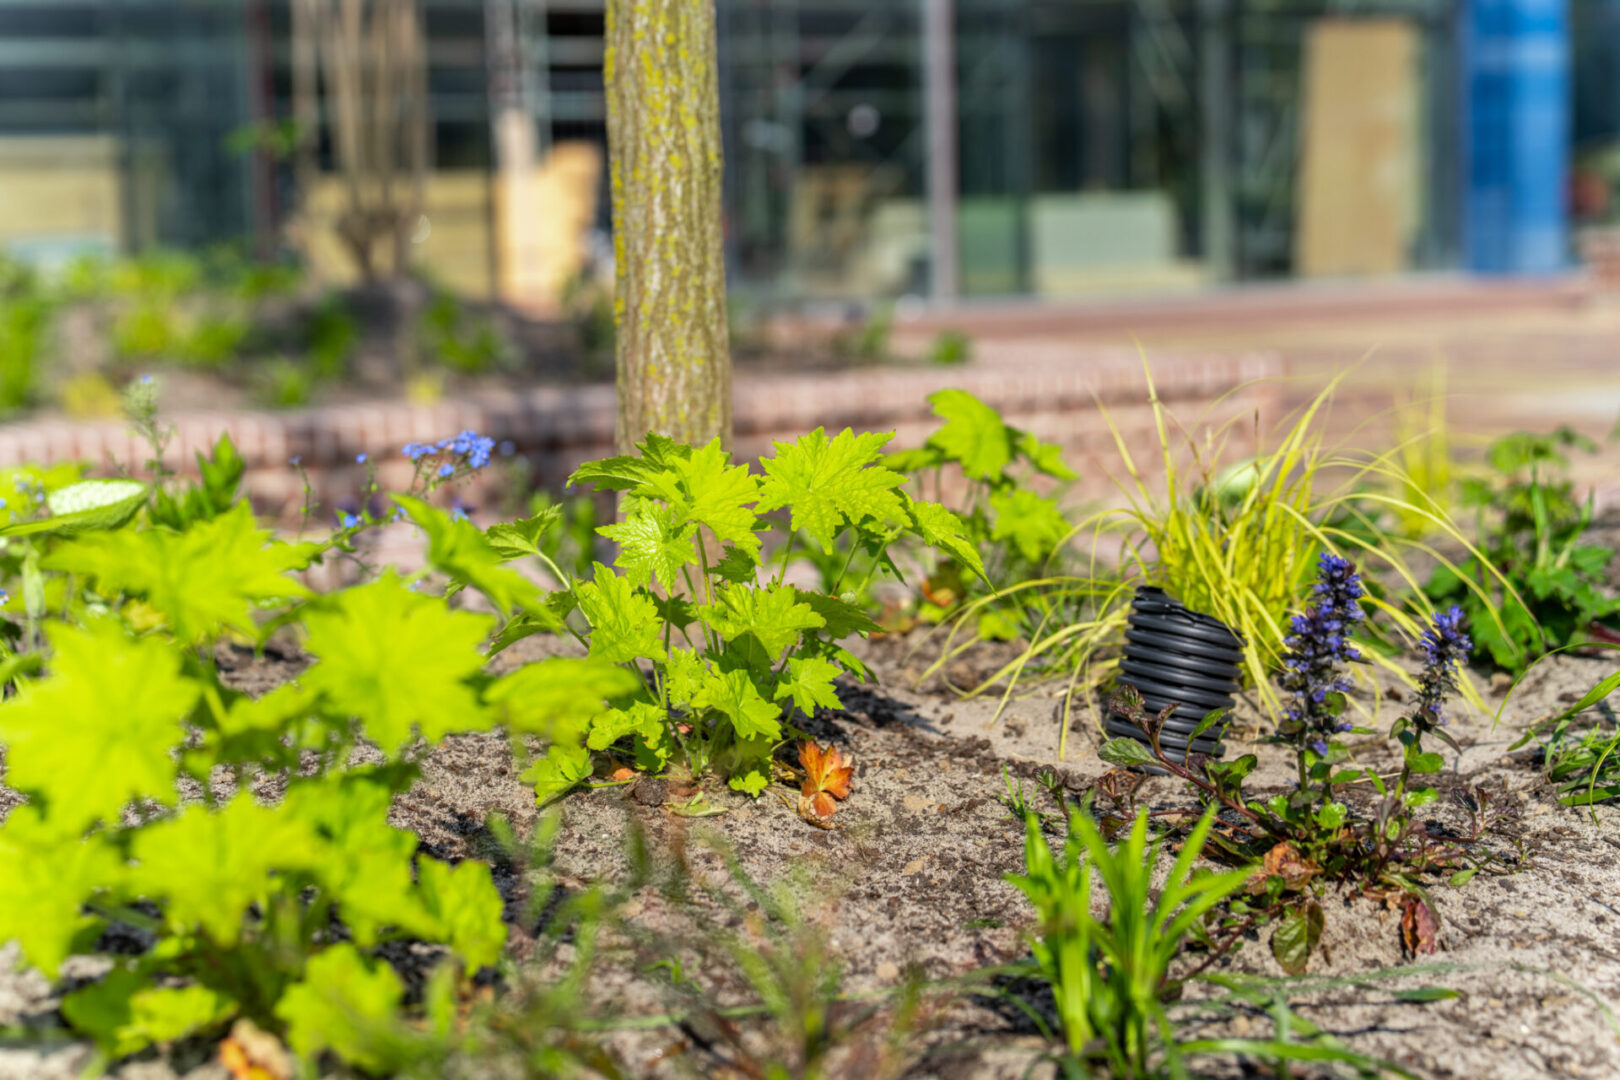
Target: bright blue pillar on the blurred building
(1517,74)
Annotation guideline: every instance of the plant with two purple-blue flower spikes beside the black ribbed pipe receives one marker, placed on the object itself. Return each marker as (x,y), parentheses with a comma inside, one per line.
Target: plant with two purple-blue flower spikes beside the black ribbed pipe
(1307,838)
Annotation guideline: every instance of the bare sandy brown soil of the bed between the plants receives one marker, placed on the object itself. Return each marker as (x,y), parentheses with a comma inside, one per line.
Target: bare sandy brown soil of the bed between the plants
(913,882)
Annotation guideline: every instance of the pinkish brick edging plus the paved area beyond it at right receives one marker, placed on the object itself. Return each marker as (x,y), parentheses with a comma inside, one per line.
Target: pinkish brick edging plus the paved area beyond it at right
(1519,357)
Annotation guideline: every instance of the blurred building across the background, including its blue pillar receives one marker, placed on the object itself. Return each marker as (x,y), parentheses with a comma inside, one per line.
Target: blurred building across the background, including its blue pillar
(876,148)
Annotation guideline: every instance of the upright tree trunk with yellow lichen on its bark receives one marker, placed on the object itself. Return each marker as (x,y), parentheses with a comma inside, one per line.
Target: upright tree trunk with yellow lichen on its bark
(670,302)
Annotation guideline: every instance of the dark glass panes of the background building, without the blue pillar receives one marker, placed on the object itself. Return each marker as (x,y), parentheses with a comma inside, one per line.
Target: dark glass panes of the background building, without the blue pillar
(1102,145)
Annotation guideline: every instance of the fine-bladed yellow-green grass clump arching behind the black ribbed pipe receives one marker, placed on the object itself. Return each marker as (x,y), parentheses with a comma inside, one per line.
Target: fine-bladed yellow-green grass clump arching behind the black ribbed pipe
(1238,542)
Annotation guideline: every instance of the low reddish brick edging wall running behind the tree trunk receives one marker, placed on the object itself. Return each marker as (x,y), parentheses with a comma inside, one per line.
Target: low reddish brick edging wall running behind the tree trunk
(1046,388)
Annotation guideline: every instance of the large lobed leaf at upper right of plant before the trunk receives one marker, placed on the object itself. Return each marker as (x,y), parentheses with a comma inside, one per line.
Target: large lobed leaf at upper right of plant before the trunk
(830,482)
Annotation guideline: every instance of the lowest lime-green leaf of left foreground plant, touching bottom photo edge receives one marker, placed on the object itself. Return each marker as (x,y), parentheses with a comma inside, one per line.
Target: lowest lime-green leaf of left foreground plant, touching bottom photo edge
(346,1005)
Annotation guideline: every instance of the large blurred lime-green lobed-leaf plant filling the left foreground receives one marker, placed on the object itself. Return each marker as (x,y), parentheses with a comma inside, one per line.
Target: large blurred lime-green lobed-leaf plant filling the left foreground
(142,767)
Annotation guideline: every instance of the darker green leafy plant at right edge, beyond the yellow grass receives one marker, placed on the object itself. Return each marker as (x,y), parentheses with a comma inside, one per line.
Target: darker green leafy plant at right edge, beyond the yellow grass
(1533,587)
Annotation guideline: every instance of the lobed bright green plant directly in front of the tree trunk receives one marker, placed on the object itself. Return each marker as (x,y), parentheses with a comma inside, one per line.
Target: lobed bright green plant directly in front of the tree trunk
(733,658)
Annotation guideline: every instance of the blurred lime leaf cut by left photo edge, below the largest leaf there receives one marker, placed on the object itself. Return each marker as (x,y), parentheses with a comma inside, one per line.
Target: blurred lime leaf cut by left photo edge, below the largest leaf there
(46,878)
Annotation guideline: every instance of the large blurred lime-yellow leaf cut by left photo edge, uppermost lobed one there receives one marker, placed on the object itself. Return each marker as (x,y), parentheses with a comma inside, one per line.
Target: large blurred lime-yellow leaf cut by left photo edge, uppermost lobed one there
(100,731)
